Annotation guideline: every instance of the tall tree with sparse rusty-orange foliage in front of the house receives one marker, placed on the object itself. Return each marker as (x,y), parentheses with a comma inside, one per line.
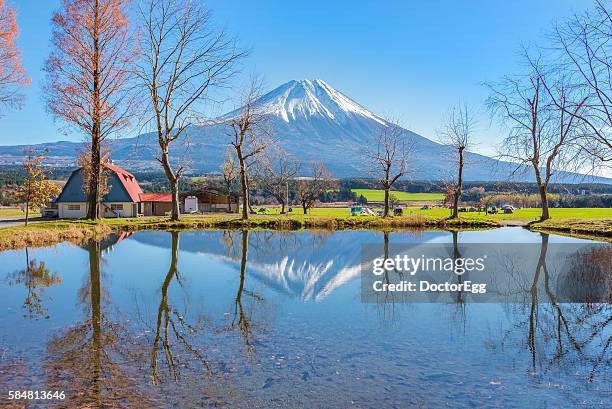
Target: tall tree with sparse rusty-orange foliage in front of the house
(89,74)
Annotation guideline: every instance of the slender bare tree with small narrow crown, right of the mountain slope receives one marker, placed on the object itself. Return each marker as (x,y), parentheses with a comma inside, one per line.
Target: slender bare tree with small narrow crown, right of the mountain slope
(457,134)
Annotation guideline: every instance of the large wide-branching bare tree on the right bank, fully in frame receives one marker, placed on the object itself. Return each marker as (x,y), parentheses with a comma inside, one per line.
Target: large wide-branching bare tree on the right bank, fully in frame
(540,133)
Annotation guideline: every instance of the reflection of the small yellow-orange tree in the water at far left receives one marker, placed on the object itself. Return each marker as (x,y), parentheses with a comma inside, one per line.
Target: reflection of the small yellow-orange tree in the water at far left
(35,277)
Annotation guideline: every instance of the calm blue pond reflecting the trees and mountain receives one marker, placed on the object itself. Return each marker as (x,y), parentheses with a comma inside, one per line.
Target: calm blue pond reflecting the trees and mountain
(276,319)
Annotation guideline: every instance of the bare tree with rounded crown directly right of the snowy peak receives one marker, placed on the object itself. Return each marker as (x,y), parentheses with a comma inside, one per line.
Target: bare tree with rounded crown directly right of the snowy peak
(388,160)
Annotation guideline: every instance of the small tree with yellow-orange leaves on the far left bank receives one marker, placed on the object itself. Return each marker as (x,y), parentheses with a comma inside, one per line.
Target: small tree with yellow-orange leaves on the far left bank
(36,191)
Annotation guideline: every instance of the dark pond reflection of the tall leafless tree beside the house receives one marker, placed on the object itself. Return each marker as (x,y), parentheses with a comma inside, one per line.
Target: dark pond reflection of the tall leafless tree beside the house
(171,324)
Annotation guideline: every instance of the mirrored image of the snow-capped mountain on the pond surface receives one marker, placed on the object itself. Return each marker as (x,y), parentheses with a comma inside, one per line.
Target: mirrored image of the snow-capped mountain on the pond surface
(309,266)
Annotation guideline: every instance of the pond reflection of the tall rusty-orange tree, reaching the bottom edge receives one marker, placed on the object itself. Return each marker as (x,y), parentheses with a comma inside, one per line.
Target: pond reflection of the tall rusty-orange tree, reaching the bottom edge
(82,359)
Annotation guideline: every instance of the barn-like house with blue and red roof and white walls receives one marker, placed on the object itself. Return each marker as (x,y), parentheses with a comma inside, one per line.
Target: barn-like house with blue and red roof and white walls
(125,198)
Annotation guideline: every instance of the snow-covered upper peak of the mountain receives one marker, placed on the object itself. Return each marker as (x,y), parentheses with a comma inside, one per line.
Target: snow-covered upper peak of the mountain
(312,98)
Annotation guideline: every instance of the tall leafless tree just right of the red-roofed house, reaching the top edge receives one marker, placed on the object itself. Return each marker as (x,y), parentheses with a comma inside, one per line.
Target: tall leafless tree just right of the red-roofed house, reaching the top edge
(184,58)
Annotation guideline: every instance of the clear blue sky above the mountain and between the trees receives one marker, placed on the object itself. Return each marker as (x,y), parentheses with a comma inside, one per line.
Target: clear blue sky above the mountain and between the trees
(411,60)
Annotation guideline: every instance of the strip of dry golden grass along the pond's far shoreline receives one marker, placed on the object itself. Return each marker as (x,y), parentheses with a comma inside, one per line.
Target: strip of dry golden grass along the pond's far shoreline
(51,232)
